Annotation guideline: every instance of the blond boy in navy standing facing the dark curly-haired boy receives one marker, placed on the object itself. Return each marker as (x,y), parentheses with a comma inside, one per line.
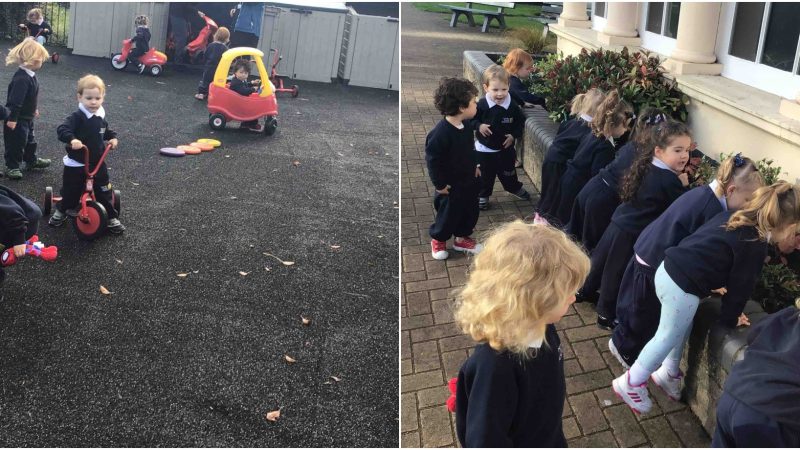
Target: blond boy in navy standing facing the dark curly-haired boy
(498,123)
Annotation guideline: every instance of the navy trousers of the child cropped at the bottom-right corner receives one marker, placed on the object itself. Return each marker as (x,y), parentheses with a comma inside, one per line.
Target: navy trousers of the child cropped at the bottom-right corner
(739,425)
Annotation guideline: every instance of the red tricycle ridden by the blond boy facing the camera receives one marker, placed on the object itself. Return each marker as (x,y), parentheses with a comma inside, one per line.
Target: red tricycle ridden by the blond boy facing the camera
(92,218)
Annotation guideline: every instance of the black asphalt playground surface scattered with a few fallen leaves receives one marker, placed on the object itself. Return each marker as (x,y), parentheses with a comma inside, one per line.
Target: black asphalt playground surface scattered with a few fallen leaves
(198,360)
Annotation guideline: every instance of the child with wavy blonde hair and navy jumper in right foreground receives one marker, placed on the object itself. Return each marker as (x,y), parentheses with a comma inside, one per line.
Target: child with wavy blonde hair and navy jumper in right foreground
(521,284)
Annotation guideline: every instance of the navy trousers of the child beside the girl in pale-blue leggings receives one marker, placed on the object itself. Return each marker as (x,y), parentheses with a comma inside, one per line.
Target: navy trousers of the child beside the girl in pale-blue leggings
(638,311)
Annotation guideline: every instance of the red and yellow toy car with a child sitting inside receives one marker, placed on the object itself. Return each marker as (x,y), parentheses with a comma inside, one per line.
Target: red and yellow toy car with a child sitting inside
(225,105)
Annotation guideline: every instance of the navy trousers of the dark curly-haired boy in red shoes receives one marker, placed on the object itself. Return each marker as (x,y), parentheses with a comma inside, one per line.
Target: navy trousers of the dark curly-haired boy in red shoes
(457,212)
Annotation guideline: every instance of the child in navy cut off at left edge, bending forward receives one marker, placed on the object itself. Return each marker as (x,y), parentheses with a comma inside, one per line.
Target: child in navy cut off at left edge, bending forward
(19,220)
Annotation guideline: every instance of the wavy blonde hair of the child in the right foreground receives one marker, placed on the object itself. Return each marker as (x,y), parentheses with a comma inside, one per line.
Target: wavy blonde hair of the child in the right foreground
(524,273)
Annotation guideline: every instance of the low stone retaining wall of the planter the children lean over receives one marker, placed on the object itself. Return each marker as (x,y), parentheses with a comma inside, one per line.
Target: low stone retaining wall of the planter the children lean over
(711,350)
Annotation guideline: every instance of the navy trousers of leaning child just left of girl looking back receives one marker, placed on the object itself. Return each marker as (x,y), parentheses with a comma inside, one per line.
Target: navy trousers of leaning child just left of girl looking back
(591,212)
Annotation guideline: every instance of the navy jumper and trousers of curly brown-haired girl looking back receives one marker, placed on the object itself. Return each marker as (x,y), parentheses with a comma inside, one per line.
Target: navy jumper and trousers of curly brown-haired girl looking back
(659,188)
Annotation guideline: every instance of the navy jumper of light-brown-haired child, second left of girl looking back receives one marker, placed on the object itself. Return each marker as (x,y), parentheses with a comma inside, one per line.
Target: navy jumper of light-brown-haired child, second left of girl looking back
(593,154)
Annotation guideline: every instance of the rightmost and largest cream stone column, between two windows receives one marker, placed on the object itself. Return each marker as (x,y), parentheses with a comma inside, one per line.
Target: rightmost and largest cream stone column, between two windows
(697,37)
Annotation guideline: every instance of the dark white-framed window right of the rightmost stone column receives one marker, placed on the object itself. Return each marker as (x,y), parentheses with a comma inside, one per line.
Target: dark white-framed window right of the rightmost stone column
(767,33)
